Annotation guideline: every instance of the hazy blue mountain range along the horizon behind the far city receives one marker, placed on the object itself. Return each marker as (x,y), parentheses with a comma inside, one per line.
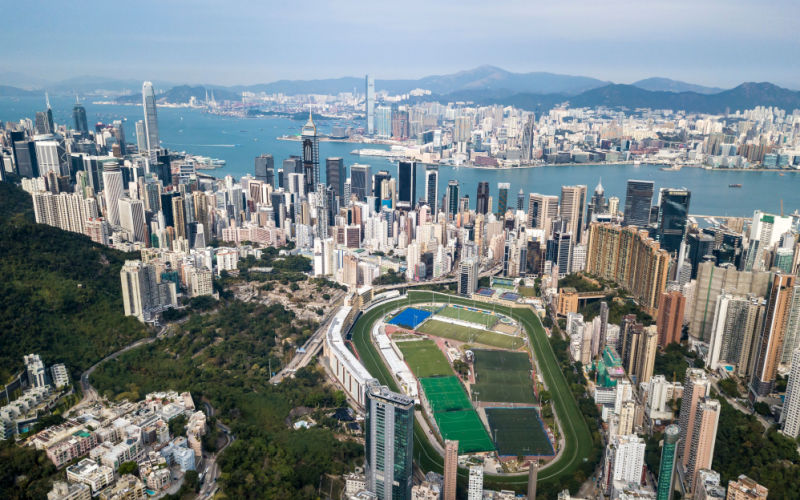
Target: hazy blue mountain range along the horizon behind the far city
(537,91)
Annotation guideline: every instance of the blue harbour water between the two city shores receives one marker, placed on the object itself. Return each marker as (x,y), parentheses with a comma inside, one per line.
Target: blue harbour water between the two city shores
(239,140)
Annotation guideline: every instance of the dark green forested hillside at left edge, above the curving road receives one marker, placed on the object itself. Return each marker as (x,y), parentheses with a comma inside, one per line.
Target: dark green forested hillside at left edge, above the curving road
(60,292)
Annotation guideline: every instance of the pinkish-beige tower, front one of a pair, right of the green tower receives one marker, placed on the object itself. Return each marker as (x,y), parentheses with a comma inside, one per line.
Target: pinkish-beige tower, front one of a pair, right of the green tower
(702,440)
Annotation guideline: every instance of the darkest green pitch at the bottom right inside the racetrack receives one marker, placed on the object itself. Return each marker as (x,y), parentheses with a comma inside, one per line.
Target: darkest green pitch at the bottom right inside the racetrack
(518,431)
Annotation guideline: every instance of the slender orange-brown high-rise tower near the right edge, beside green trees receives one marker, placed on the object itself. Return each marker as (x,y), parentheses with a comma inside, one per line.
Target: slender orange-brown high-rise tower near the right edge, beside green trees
(770,343)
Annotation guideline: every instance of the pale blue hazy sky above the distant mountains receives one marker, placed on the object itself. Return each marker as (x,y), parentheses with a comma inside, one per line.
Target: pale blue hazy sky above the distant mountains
(710,42)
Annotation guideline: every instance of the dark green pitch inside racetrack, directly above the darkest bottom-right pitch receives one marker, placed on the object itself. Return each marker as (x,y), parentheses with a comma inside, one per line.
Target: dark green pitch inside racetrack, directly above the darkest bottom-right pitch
(503,377)
